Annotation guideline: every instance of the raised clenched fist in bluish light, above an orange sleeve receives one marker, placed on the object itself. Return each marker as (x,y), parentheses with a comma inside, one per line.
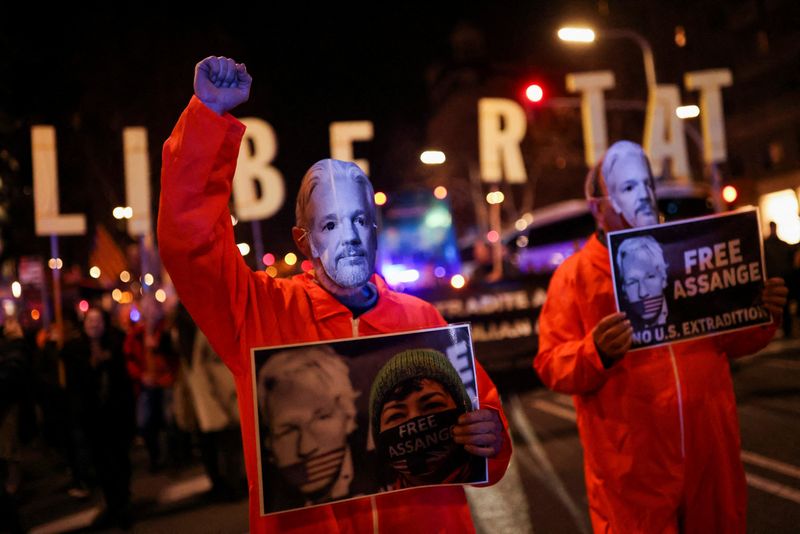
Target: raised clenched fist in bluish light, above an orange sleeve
(221,83)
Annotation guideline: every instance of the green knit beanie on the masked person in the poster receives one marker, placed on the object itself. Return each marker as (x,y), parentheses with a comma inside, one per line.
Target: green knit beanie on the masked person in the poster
(415,363)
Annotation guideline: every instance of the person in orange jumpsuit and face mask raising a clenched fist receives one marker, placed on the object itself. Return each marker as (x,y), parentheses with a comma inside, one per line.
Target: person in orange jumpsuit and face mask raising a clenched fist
(239,309)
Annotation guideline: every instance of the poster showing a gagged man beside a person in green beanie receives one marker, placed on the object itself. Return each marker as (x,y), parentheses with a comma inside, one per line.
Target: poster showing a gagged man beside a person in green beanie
(337,420)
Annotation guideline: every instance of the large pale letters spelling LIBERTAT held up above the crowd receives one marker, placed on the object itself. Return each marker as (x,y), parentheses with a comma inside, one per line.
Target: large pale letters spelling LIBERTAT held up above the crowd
(259,189)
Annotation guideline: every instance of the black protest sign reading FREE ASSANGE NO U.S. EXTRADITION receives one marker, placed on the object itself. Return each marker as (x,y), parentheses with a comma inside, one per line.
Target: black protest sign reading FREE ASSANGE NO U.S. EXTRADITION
(691,278)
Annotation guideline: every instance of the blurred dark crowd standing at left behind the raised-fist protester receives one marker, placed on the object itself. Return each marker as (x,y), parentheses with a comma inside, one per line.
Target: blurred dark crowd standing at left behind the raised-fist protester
(89,389)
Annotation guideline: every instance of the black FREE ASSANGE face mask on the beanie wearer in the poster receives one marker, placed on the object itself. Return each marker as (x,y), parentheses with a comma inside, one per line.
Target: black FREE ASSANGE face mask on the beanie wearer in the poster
(423,454)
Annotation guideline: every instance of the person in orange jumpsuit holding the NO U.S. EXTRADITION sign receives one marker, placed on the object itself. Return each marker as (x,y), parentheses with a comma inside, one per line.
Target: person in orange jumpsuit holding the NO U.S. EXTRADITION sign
(658,426)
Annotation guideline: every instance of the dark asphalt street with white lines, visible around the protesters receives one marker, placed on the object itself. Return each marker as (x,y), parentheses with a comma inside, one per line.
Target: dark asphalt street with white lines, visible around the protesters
(542,492)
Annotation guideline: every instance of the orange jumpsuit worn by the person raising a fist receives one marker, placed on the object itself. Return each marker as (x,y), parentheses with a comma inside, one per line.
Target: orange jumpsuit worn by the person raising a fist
(239,309)
